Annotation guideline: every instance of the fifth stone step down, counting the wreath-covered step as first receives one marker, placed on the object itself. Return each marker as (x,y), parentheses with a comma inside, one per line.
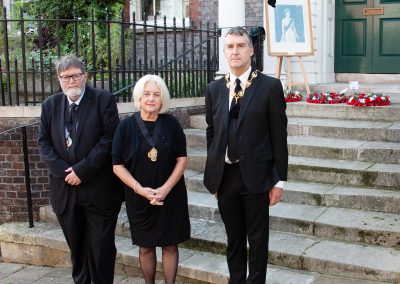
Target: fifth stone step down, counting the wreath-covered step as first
(322,194)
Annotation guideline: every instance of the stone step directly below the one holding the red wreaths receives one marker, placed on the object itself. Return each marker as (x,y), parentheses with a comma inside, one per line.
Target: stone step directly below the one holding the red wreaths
(328,127)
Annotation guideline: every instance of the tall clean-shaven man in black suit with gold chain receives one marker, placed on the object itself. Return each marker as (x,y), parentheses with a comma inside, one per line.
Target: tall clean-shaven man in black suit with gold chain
(247,156)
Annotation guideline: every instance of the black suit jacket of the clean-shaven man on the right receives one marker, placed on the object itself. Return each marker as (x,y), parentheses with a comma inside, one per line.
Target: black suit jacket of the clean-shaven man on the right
(261,134)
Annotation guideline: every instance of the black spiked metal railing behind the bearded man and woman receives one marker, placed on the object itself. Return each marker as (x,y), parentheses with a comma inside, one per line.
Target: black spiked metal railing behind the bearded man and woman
(116,53)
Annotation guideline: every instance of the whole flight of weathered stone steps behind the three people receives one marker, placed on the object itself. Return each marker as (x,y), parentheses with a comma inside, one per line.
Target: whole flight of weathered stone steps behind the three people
(339,221)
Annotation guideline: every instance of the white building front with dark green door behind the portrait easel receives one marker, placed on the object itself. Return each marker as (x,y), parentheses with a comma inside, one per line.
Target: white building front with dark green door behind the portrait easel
(358,36)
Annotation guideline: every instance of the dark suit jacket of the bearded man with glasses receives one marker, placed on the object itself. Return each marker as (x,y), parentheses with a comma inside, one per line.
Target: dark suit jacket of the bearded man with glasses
(98,120)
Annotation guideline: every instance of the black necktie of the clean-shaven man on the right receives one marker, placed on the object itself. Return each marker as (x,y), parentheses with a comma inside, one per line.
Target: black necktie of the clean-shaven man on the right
(233,117)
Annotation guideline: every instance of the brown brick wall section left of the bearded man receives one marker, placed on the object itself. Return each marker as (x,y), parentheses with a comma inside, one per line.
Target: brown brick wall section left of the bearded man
(13,203)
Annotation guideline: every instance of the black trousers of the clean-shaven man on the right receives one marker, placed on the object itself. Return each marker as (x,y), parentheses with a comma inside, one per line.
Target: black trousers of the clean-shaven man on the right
(245,216)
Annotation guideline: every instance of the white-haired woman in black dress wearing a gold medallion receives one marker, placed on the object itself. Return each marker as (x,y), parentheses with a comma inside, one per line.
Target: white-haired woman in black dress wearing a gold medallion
(149,156)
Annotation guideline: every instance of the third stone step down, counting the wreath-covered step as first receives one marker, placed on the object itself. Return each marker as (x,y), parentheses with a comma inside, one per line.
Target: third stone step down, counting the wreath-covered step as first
(321,147)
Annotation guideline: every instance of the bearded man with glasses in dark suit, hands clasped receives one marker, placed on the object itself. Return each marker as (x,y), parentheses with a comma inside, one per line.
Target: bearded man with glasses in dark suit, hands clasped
(75,135)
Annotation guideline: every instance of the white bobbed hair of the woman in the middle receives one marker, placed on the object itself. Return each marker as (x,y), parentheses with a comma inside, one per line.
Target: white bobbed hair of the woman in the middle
(138,91)
